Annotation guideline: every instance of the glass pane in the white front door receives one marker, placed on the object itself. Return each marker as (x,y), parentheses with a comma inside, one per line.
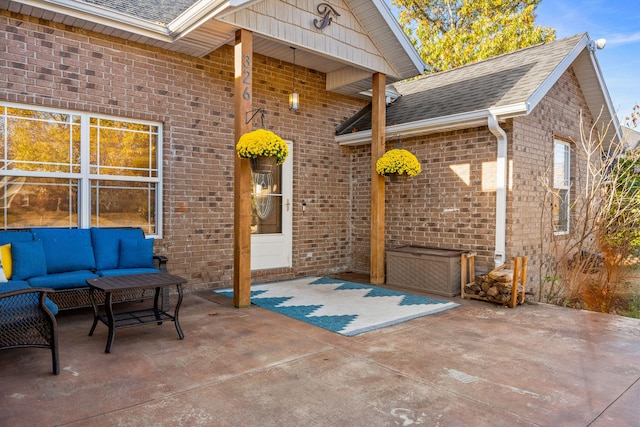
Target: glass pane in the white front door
(266,202)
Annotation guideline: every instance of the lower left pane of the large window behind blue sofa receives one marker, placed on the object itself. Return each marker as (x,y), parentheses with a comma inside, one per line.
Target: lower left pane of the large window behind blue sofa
(39,202)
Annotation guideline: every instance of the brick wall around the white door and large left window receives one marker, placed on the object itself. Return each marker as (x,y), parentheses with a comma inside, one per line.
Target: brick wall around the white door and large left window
(49,64)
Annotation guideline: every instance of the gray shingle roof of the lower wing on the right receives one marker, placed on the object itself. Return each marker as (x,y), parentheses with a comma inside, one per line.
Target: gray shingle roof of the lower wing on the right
(501,81)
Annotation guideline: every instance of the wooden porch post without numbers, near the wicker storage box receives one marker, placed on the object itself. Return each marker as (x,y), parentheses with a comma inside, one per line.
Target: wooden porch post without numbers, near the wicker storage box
(378,123)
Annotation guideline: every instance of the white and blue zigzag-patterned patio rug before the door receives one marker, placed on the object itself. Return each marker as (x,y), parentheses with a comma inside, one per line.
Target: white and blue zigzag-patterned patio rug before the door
(344,307)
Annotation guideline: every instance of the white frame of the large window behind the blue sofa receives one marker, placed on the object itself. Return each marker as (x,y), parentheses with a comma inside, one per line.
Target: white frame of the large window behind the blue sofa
(84,177)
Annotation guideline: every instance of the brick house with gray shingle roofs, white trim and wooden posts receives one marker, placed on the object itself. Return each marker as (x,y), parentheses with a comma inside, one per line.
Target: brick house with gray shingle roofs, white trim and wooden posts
(127,113)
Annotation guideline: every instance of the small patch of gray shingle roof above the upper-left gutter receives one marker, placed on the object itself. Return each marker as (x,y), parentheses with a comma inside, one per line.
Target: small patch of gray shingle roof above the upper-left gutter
(156,11)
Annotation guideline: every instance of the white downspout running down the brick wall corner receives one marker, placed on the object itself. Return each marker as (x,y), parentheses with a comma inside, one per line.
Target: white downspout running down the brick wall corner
(500,253)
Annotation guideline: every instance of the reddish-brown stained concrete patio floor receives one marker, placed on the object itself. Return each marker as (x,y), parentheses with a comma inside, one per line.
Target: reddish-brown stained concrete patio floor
(475,365)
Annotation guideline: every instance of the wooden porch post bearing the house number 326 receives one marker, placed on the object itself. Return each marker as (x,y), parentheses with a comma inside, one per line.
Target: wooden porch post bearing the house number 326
(243,73)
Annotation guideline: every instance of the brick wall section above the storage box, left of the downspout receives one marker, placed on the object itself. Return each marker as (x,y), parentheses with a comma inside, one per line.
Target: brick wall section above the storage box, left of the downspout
(451,204)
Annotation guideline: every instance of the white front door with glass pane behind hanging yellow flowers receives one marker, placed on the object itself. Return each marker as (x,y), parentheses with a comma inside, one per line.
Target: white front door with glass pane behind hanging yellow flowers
(271,222)
